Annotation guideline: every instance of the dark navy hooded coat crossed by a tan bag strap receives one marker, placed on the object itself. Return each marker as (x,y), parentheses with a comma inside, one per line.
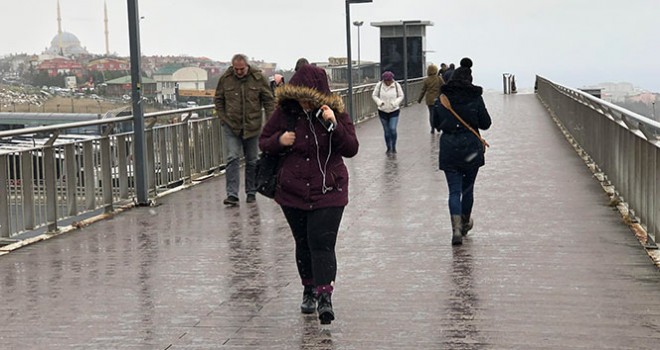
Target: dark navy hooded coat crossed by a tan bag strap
(459,148)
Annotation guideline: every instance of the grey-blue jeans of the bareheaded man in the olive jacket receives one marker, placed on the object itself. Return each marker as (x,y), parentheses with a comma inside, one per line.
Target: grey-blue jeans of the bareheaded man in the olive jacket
(235,145)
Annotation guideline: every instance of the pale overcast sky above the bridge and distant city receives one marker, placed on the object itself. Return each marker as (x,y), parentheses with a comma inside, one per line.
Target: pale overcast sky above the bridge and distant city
(573,42)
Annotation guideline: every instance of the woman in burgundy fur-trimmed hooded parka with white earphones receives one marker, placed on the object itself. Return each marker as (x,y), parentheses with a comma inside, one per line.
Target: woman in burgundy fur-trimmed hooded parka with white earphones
(314,132)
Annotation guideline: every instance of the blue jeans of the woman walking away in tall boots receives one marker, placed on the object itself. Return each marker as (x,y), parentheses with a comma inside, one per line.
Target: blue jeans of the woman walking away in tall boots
(461,190)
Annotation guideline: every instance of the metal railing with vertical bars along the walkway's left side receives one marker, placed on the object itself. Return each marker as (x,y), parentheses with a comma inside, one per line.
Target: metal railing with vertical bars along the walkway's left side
(53,179)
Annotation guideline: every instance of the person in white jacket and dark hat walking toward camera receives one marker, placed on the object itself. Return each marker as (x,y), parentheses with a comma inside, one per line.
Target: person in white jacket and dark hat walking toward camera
(388,96)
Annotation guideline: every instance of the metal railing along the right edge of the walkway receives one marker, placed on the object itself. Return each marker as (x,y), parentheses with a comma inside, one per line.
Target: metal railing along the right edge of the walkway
(625,146)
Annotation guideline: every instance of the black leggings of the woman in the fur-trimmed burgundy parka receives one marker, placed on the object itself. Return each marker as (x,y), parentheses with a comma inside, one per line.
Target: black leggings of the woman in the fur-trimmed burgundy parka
(315,233)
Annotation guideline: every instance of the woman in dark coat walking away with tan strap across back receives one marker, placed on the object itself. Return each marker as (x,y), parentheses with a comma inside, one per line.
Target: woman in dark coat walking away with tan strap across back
(461,151)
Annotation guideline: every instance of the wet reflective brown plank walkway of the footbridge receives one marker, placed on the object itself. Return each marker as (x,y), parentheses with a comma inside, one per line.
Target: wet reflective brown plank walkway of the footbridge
(548,265)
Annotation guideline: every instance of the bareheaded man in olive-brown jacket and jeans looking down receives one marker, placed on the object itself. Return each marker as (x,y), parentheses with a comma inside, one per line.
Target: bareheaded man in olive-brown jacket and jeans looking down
(241,94)
